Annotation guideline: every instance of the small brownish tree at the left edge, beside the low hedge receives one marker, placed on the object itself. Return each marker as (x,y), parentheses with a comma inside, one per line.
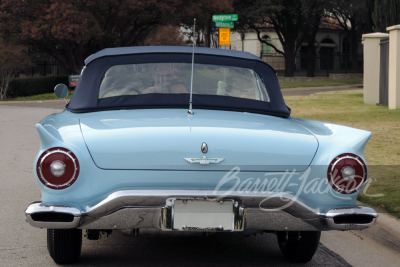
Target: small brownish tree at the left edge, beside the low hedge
(12,60)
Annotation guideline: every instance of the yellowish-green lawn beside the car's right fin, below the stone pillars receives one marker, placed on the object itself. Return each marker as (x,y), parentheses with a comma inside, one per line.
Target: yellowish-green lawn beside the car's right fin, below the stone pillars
(383,150)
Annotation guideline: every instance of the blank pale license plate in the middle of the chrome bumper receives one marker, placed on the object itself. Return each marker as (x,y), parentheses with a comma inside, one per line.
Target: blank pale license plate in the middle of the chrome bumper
(202,215)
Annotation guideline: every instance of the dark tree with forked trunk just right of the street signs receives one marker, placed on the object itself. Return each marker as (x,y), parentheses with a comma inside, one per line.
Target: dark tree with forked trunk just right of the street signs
(285,16)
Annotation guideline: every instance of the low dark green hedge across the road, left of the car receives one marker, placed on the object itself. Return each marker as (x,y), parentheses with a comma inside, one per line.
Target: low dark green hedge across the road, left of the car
(35,85)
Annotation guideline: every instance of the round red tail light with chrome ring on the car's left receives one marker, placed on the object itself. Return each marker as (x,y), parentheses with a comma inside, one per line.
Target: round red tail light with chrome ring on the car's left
(57,168)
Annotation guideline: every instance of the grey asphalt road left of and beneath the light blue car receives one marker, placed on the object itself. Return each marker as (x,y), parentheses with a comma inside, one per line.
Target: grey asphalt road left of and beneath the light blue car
(23,245)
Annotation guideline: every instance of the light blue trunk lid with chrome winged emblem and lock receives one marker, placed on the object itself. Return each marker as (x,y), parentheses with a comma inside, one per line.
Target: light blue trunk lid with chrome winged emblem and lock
(161,139)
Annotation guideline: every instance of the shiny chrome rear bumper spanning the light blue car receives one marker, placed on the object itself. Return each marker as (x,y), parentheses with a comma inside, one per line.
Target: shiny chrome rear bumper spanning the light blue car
(132,209)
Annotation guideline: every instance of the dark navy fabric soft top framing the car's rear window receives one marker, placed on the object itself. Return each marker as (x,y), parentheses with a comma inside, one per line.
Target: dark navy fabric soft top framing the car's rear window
(85,97)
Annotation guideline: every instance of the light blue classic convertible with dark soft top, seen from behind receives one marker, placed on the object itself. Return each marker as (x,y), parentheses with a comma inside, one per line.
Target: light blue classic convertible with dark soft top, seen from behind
(155,143)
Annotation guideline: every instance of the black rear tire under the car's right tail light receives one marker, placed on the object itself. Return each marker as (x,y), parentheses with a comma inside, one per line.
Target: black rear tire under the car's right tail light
(298,247)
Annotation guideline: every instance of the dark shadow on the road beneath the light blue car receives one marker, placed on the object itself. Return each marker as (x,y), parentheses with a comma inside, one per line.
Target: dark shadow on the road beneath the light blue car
(215,250)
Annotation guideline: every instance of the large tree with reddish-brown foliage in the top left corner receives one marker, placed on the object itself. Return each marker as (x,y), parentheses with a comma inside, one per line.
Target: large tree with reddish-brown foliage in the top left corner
(61,29)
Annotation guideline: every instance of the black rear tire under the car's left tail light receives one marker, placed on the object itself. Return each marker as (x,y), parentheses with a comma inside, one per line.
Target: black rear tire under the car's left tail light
(64,245)
